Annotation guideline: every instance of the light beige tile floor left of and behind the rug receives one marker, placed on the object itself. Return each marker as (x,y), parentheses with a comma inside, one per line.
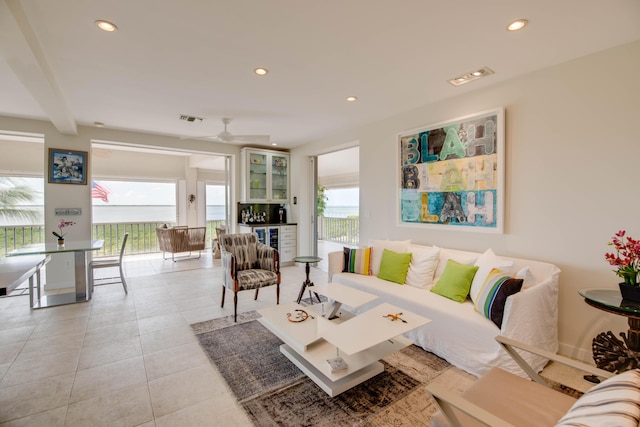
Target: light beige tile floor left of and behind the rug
(125,360)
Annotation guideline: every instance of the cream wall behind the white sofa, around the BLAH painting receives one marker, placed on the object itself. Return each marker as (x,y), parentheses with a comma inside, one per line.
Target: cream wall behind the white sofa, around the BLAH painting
(572,153)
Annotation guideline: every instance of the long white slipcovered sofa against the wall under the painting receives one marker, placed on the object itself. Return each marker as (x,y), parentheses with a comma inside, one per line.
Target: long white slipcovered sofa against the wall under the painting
(457,332)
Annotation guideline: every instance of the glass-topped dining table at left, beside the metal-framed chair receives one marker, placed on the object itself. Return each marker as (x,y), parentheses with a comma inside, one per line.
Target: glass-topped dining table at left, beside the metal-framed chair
(83,287)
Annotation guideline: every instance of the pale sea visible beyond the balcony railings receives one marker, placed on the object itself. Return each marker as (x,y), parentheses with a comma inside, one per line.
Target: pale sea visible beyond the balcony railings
(164,213)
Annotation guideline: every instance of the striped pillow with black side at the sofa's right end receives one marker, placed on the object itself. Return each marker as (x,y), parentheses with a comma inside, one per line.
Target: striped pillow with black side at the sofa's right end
(495,290)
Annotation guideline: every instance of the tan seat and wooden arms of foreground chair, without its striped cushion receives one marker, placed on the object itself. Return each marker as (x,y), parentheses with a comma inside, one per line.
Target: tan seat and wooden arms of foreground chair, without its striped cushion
(502,399)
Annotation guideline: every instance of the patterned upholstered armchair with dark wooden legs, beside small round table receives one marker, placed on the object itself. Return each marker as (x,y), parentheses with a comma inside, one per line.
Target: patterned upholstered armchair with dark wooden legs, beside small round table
(248,264)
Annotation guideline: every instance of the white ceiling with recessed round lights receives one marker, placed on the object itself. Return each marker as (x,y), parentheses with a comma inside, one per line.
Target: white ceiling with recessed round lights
(196,57)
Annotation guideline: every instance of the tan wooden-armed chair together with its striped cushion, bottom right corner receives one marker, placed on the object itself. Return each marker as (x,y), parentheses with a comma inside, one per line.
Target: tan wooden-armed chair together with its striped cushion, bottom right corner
(501,399)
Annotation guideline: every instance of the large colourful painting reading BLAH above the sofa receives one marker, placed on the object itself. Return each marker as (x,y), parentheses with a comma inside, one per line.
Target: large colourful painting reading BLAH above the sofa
(451,174)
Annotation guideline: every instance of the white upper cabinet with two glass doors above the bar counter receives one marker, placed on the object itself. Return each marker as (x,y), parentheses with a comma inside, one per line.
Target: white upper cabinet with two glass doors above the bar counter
(265,176)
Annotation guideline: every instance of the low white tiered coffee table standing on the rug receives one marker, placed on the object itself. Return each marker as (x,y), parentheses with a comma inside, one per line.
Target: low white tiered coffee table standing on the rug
(361,341)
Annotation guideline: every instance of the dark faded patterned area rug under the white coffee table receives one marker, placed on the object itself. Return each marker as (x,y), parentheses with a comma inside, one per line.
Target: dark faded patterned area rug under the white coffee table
(273,391)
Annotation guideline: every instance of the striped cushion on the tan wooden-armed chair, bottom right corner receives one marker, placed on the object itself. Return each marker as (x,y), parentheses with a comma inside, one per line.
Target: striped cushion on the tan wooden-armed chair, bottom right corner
(613,402)
